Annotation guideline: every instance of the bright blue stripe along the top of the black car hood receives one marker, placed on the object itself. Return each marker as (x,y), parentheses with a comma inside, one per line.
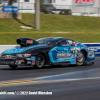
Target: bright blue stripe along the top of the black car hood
(20,49)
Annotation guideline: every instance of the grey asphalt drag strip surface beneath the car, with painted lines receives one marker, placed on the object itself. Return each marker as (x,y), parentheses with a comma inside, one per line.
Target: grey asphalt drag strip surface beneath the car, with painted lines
(65,83)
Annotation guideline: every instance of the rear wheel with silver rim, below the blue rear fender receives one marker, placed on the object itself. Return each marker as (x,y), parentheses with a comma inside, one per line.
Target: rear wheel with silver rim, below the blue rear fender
(80,59)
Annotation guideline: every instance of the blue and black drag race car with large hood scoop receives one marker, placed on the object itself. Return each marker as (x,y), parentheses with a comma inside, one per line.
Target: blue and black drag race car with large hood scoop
(47,51)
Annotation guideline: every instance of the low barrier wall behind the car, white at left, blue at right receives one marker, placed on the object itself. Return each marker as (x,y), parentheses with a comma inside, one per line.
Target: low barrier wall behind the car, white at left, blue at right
(93,46)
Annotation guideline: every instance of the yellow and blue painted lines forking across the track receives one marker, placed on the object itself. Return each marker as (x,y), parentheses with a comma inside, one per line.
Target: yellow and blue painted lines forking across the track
(52,78)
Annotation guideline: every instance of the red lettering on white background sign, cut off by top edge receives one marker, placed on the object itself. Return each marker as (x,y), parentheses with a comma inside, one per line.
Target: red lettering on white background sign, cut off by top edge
(84,2)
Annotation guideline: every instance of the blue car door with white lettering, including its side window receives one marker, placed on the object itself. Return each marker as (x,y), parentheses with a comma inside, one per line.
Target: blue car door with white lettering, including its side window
(61,52)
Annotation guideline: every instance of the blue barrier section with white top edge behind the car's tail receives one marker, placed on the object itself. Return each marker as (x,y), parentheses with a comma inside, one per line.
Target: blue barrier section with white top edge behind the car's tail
(95,47)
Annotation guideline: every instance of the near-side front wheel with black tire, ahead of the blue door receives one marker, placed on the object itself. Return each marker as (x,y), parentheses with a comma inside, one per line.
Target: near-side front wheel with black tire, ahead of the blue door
(40,61)
